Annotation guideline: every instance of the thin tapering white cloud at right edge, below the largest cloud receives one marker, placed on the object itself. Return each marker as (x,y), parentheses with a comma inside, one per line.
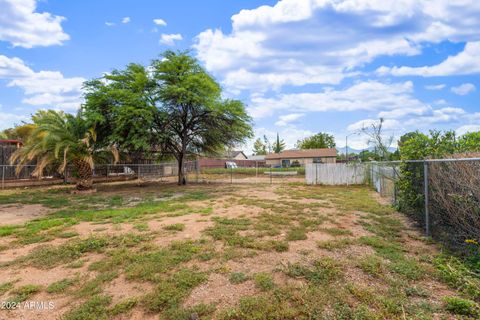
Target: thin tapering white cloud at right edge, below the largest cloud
(464,63)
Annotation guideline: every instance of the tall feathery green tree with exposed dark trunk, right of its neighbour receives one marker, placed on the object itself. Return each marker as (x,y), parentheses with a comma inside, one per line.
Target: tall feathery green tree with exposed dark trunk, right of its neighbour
(193,118)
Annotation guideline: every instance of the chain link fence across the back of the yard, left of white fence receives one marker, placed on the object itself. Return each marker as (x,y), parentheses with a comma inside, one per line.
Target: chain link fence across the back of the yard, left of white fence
(194,172)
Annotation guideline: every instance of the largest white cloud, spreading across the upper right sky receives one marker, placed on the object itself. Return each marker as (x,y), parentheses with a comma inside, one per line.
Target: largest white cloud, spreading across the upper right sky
(298,42)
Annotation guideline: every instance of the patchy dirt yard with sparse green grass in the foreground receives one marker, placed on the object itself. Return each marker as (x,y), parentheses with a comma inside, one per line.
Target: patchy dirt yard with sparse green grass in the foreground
(155,251)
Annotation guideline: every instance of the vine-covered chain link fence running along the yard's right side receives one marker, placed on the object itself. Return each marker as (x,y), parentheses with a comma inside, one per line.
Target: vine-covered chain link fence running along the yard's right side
(441,195)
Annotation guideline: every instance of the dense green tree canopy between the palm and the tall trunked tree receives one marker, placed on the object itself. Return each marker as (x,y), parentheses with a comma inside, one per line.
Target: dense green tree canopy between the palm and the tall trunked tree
(122,106)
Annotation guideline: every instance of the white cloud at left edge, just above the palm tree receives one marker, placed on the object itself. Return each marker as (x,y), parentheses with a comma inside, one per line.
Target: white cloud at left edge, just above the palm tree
(43,88)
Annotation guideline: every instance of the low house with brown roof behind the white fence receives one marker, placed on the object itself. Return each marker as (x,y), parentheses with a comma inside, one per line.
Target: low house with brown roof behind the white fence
(288,158)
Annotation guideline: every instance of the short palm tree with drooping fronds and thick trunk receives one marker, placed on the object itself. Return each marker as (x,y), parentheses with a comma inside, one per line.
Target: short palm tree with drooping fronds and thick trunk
(60,139)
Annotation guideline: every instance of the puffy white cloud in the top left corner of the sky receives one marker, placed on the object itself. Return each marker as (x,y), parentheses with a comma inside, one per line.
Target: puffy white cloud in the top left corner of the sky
(22,26)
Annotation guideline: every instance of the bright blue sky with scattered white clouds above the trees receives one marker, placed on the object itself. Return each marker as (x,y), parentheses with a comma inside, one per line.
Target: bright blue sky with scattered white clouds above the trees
(300,66)
